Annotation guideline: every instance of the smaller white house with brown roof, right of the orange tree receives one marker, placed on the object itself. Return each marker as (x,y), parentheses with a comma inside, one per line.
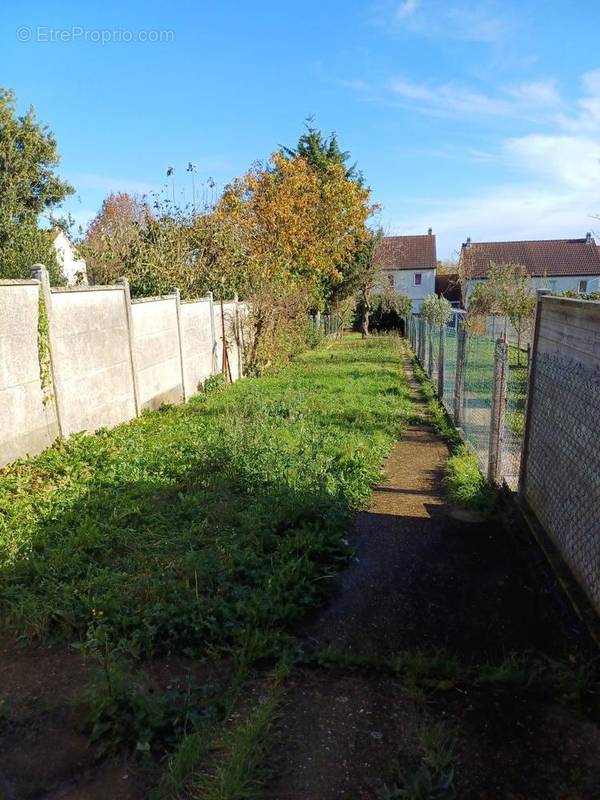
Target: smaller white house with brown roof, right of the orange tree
(408,264)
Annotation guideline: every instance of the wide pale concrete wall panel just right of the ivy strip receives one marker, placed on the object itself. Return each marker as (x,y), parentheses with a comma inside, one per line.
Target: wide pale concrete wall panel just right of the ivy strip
(90,346)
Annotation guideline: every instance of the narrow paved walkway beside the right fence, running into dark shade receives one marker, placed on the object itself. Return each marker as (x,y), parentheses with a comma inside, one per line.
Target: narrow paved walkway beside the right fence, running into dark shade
(420,581)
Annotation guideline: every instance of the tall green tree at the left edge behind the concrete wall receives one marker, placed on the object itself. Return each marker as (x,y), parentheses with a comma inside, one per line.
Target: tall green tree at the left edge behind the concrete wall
(29,187)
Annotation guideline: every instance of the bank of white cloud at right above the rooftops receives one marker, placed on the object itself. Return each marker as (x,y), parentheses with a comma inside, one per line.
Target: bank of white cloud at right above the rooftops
(556,189)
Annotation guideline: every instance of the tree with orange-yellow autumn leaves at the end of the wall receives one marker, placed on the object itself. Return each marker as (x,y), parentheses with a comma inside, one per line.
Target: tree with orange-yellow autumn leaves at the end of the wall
(301,224)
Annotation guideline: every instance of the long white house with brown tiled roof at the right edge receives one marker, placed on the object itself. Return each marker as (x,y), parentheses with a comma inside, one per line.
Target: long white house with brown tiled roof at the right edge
(554,264)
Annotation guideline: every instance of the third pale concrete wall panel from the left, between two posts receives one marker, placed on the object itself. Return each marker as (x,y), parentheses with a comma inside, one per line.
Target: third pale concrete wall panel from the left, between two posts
(156,351)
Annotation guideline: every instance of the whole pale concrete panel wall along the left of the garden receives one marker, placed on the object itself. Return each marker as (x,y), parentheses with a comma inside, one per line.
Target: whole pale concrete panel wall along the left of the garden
(110,357)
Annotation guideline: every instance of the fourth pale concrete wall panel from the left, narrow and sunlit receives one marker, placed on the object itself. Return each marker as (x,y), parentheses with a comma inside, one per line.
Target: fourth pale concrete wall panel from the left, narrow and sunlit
(197,344)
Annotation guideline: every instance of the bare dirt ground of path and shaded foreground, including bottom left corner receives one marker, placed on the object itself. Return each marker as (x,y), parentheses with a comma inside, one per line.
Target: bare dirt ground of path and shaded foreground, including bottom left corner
(421,580)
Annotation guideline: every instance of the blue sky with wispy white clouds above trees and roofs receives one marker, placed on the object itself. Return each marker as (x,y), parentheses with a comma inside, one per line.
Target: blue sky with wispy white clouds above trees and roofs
(477,119)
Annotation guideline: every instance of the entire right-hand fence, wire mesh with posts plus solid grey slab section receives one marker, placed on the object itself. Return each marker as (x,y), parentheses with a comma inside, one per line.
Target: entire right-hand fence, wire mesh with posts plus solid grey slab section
(484,384)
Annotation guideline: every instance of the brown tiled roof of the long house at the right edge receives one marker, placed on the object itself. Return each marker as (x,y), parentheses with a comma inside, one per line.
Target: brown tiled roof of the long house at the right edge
(552,257)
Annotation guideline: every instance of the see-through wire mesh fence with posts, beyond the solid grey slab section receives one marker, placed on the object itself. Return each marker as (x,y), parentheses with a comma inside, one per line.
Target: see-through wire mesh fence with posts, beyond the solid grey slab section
(465,372)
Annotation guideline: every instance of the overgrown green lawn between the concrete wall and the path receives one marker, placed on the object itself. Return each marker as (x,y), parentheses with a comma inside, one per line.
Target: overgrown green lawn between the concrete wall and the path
(210,526)
